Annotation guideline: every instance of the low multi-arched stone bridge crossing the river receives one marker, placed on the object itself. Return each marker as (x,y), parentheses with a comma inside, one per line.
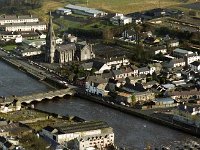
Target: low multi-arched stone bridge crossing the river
(38,96)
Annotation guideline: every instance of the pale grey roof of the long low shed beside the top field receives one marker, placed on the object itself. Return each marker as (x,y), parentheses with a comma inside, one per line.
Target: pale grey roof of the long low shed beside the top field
(85,9)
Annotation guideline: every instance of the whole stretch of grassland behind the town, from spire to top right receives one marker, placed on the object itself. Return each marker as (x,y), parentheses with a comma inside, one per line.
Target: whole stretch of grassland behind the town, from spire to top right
(121,6)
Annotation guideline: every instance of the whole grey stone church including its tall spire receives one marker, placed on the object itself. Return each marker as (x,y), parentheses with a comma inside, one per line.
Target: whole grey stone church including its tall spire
(65,53)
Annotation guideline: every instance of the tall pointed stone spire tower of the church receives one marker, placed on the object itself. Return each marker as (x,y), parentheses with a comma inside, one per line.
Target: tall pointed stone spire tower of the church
(50,42)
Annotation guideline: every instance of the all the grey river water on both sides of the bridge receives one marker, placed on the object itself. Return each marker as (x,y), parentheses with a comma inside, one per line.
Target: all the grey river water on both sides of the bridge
(130,131)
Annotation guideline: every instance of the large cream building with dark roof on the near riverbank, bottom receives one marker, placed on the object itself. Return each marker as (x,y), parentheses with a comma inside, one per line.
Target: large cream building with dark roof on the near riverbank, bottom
(80,136)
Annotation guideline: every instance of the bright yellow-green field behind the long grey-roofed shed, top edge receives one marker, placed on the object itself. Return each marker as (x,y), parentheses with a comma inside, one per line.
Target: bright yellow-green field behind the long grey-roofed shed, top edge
(127,6)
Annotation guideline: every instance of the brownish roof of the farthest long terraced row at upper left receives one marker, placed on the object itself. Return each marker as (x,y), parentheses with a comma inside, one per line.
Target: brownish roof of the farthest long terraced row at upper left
(15,17)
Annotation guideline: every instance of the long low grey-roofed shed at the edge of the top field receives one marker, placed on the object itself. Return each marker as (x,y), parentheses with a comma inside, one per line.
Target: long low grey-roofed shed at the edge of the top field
(85,11)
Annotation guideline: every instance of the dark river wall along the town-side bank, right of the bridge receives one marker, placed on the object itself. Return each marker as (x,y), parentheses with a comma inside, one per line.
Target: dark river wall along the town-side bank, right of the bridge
(171,124)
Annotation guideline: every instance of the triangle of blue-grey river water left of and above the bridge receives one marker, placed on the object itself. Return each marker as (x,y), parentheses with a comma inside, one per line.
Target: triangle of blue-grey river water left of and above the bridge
(15,82)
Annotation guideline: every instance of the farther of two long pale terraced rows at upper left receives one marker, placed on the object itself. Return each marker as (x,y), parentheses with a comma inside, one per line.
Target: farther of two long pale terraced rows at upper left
(4,19)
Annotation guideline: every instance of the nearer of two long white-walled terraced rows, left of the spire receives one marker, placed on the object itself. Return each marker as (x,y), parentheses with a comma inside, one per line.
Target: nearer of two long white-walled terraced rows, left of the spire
(26,26)
